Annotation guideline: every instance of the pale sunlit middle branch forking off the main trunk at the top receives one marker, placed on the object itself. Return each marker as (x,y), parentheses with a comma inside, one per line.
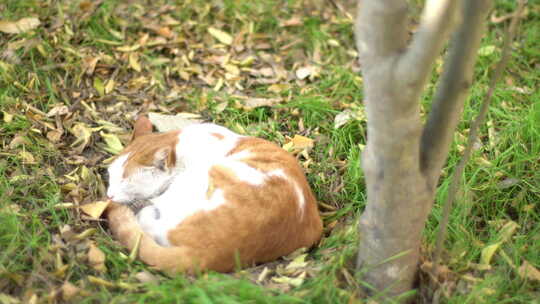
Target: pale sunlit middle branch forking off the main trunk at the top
(435,25)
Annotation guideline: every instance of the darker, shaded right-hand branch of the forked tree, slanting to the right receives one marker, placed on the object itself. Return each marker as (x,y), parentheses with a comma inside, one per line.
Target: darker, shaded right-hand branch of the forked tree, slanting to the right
(452,90)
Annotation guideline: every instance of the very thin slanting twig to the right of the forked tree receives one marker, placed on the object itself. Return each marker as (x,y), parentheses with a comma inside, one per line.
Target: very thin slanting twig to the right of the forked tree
(473,135)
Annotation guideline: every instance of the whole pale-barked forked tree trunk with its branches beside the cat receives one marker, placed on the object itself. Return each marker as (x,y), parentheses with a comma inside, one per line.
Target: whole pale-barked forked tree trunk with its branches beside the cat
(401,163)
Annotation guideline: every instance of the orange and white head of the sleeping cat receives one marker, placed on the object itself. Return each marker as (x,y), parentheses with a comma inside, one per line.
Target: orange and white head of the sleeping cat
(145,168)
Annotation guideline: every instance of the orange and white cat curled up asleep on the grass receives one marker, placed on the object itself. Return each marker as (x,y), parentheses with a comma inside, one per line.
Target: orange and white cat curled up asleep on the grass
(218,200)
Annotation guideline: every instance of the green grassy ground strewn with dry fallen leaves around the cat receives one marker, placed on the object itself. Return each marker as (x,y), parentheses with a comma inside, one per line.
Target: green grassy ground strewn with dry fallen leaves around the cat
(52,66)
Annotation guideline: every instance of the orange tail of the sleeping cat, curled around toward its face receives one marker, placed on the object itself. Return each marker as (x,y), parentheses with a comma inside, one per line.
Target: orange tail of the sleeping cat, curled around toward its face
(125,228)
